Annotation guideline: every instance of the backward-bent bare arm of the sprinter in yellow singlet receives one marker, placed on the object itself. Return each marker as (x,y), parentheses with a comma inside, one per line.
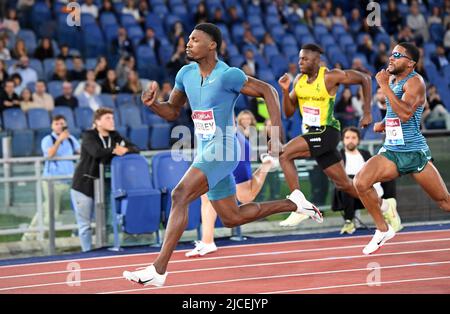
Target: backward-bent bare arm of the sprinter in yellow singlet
(348,77)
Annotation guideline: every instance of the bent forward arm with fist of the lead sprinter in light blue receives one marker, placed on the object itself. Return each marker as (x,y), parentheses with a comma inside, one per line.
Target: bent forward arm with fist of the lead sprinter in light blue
(169,110)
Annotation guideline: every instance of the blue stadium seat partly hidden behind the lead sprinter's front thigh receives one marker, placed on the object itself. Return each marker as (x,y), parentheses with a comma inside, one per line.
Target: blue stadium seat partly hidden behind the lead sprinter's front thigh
(167,172)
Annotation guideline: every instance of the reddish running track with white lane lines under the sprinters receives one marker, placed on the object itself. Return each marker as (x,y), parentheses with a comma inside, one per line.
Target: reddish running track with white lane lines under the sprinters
(412,262)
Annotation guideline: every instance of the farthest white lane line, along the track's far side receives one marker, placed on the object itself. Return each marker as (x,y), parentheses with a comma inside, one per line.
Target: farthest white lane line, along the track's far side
(224,247)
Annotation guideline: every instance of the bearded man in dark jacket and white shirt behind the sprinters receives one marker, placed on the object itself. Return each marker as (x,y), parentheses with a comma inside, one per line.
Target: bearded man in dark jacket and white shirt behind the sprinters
(354,159)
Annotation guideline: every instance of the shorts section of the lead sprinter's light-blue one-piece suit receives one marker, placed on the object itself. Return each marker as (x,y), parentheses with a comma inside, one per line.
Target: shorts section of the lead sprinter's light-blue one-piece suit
(217,160)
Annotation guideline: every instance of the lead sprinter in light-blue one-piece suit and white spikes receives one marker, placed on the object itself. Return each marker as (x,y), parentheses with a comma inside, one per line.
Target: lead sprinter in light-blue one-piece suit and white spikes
(211,87)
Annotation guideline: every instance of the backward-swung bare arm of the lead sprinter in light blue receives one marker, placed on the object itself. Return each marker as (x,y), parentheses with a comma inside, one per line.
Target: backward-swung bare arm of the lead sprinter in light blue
(256,88)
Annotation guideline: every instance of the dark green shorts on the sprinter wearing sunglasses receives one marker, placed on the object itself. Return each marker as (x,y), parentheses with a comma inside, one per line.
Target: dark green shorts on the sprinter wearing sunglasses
(407,162)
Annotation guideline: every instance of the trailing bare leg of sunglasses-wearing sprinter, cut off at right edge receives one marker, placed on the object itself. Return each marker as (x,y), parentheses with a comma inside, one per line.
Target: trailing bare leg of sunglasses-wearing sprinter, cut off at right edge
(431,181)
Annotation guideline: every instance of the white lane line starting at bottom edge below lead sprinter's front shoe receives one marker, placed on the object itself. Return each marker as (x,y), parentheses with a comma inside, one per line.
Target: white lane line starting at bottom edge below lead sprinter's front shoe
(282,276)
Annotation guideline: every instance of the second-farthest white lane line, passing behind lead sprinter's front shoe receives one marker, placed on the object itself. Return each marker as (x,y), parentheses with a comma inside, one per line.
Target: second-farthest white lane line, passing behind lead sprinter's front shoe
(240,266)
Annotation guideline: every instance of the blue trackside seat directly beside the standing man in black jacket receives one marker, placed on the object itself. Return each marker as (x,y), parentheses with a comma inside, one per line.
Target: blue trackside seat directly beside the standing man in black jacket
(136,204)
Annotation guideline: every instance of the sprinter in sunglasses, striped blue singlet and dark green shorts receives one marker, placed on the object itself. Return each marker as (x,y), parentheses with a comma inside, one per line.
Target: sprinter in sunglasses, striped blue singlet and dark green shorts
(405,150)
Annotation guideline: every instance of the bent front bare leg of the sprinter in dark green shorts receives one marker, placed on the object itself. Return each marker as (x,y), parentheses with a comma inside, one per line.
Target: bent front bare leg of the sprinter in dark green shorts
(376,169)
